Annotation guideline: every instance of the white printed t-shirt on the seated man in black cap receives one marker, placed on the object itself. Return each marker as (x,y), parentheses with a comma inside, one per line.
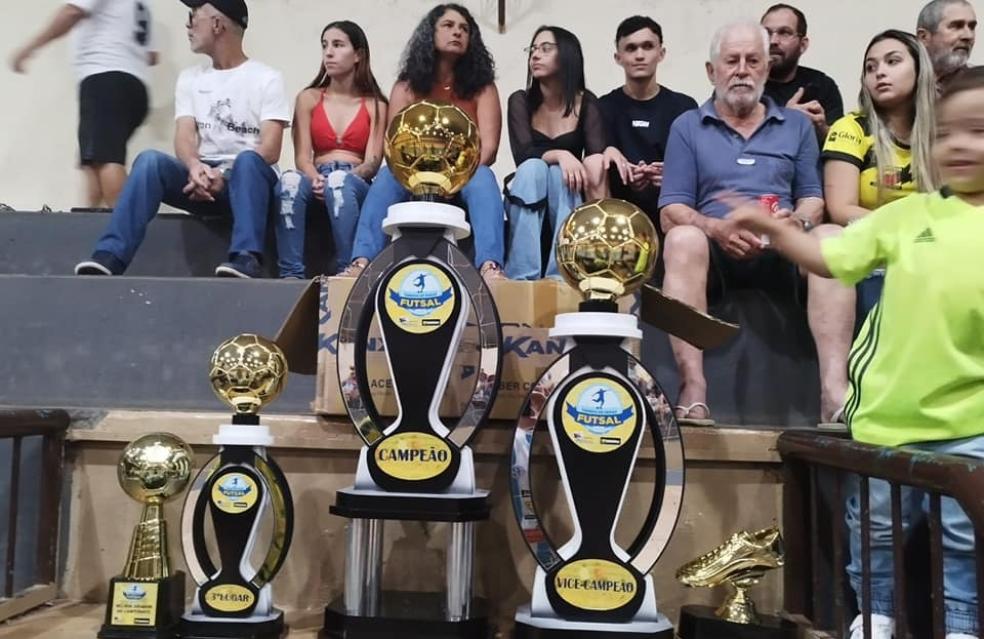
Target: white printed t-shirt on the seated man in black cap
(229,106)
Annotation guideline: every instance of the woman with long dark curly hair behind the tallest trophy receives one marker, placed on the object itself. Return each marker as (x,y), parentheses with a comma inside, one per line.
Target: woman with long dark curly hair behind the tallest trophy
(445,60)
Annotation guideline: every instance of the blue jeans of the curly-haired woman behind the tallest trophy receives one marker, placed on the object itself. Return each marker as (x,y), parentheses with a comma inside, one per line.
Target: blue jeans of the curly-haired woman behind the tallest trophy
(481,200)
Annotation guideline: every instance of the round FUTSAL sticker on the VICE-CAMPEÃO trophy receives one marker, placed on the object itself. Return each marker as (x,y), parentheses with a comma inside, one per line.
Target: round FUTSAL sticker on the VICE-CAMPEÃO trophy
(599,414)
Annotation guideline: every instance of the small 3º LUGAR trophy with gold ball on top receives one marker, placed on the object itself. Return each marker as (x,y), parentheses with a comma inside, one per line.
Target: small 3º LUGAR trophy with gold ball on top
(231,496)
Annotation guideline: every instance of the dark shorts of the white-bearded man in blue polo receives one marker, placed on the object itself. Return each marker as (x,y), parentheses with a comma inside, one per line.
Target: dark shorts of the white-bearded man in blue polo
(769,272)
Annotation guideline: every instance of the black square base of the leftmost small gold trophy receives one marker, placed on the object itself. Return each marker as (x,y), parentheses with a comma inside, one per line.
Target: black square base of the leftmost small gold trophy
(163,624)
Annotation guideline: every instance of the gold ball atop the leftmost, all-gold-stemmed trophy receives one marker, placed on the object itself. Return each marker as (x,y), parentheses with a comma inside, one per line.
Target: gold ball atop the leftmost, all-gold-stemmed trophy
(154,467)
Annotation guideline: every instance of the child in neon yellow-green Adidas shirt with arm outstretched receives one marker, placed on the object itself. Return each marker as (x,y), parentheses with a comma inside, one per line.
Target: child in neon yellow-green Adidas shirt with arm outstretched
(917,376)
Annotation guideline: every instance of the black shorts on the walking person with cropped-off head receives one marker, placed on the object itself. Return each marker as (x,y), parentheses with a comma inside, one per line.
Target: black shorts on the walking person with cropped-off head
(111,107)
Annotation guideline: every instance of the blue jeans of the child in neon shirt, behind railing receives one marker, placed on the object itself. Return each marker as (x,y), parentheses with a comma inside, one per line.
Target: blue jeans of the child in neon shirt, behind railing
(959,574)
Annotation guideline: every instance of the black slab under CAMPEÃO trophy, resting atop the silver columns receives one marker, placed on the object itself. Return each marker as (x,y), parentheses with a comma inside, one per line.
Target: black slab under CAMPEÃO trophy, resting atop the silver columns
(358,505)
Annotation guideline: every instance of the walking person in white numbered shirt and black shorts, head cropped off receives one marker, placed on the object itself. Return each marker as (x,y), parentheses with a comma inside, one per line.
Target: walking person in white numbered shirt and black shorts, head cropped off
(112,50)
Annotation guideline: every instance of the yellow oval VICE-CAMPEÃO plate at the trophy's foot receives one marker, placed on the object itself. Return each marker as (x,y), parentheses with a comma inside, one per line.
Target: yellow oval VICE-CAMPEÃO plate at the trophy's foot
(595,584)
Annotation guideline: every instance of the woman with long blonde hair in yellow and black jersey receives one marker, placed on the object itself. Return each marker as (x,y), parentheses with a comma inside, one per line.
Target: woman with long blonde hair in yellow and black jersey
(881,152)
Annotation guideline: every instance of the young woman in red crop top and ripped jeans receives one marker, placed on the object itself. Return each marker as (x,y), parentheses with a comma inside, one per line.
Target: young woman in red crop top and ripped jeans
(338,145)
